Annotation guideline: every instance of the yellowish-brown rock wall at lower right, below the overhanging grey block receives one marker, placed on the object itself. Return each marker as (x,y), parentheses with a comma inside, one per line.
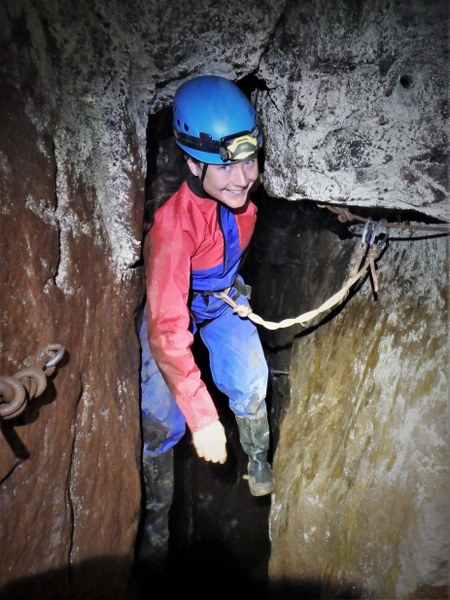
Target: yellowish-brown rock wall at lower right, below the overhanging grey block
(360,414)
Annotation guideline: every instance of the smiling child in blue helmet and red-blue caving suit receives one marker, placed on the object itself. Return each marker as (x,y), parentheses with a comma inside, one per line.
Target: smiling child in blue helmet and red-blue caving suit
(203,222)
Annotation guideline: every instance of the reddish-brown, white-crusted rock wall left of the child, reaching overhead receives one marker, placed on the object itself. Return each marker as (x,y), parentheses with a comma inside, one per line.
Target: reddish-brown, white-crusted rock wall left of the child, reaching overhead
(78,82)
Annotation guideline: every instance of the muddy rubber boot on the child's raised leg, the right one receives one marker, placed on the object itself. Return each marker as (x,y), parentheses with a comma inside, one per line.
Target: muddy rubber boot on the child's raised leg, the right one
(254,437)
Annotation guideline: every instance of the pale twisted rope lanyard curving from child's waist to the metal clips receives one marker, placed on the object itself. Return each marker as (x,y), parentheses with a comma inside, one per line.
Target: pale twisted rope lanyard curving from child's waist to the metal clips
(361,250)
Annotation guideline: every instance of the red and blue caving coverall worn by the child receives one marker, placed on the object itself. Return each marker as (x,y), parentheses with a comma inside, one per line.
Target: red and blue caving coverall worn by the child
(194,248)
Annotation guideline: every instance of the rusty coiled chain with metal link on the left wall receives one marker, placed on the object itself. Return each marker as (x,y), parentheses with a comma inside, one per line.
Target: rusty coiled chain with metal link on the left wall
(29,382)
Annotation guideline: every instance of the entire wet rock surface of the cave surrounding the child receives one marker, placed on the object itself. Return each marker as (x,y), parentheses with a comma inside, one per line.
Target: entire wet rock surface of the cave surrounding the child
(352,102)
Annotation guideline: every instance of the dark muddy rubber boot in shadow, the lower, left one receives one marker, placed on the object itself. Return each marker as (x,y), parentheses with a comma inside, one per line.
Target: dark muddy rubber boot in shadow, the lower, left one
(158,494)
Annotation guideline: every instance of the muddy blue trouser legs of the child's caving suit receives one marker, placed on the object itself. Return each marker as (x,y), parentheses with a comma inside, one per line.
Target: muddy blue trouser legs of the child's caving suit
(238,368)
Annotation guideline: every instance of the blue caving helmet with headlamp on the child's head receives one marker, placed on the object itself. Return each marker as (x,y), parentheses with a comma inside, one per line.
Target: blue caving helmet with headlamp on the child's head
(214,121)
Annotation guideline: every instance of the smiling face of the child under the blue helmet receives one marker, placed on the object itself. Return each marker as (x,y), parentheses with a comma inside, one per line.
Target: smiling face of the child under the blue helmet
(230,184)
